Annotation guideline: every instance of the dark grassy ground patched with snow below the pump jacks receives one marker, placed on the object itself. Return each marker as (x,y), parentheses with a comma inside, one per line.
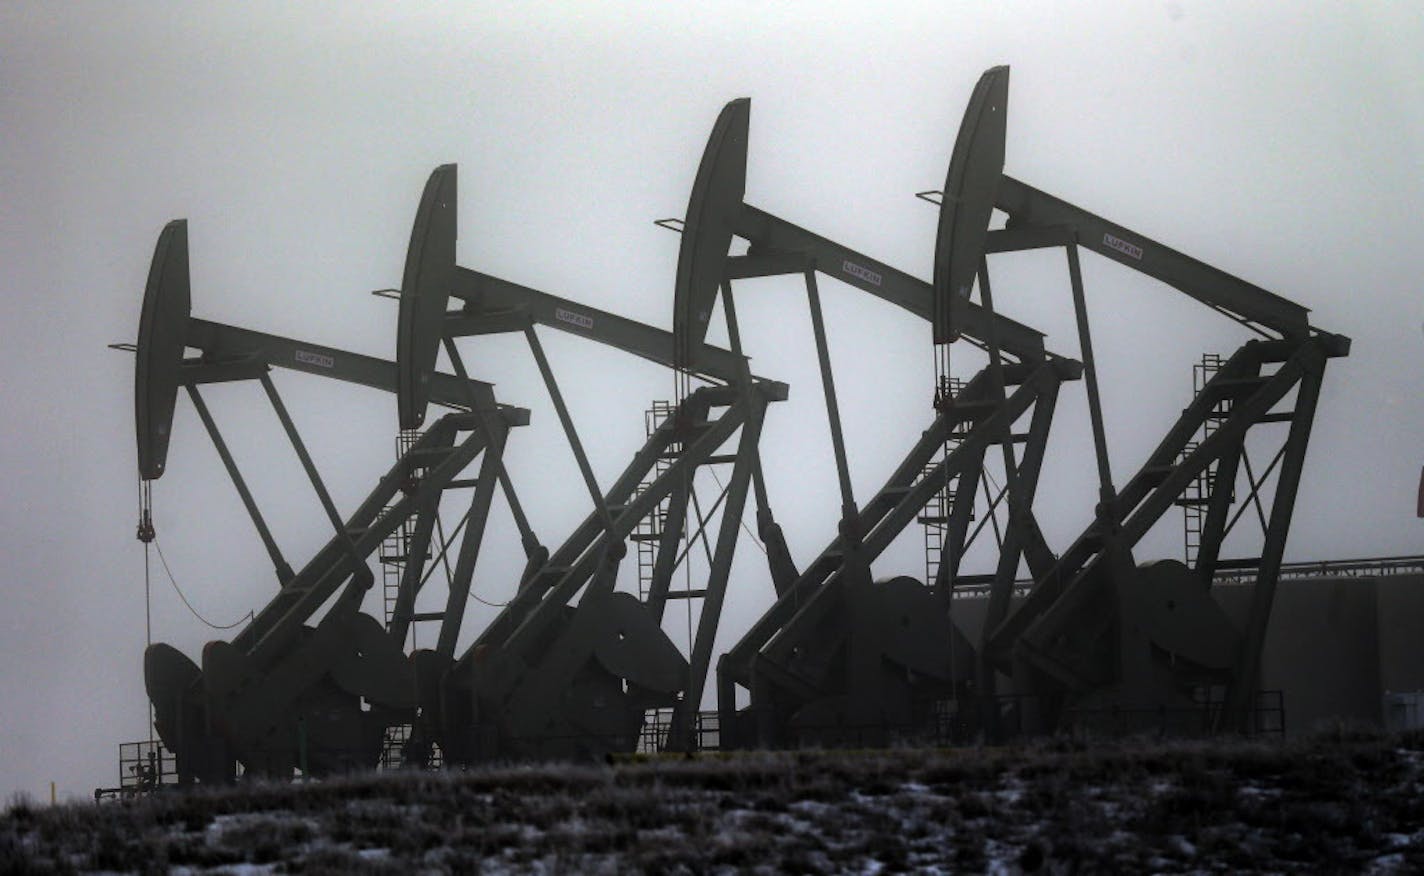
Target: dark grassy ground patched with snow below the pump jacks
(1345,801)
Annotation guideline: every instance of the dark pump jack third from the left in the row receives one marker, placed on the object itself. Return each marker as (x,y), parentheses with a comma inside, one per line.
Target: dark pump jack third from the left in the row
(841,657)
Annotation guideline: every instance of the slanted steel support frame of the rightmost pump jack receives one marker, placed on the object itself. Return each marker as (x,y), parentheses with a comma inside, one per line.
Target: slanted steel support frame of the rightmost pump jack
(1054,612)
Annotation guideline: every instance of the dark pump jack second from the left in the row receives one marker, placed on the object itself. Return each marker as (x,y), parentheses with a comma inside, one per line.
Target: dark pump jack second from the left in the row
(550,677)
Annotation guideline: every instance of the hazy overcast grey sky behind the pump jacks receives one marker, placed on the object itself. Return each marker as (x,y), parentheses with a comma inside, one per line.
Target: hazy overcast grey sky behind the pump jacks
(1281,143)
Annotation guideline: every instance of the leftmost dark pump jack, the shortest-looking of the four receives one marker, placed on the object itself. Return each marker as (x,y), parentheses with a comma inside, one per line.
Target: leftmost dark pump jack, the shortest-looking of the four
(284,693)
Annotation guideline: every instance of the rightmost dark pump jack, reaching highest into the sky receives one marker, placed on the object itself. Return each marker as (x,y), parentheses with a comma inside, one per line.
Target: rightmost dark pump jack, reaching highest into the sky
(1099,633)
